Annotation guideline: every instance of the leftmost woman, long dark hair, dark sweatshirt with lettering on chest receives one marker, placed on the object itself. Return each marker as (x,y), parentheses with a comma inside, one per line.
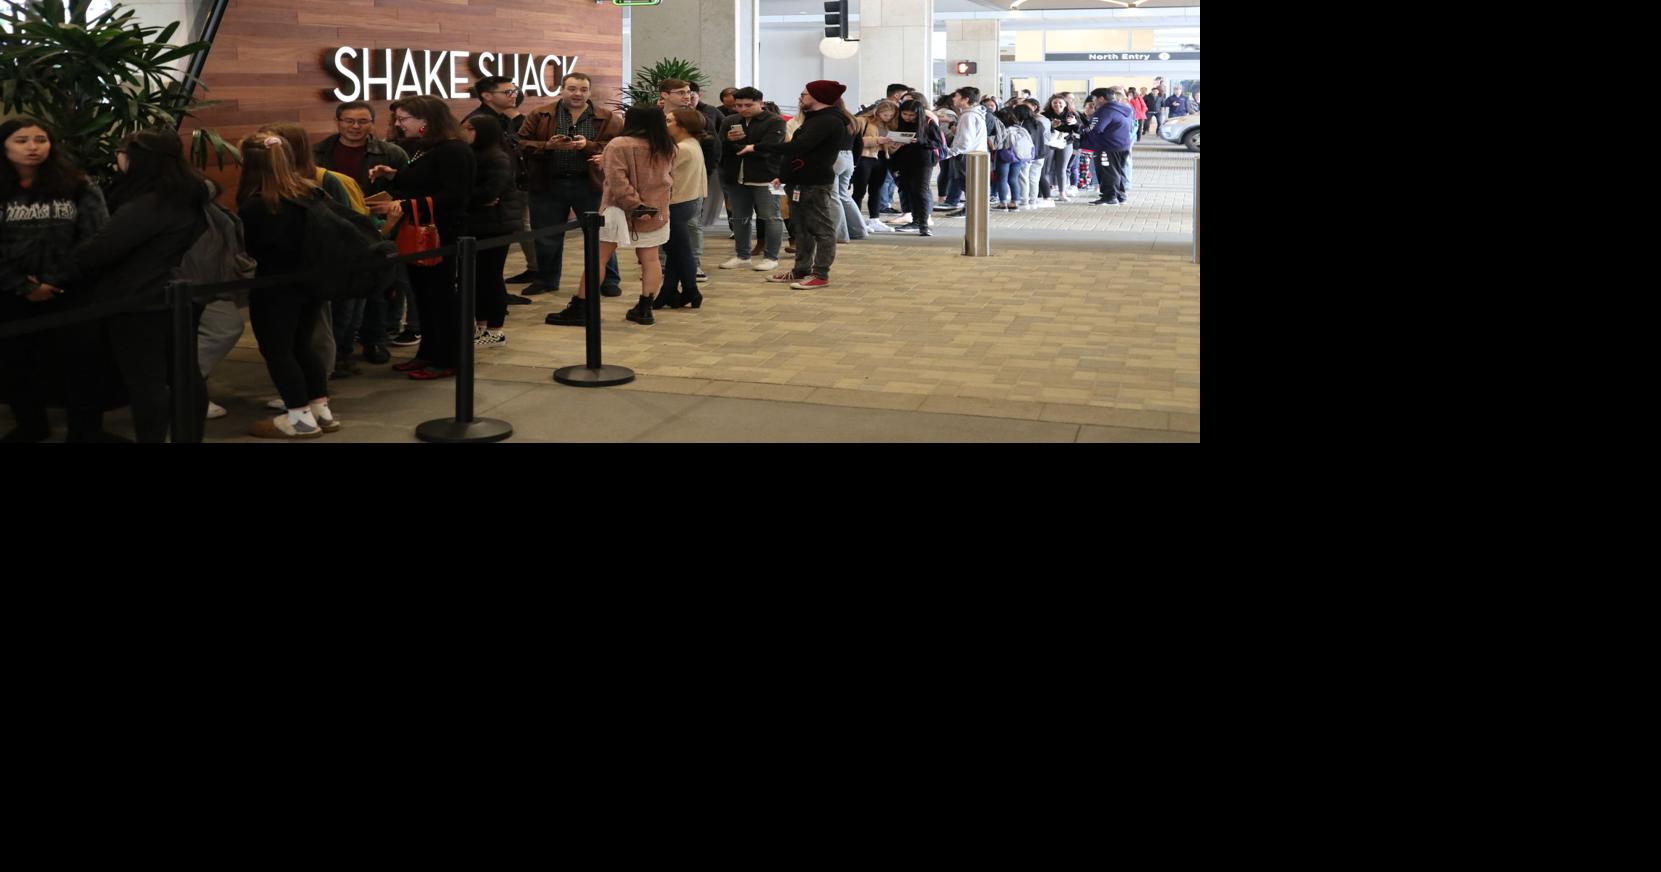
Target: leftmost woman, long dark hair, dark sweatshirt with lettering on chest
(47,207)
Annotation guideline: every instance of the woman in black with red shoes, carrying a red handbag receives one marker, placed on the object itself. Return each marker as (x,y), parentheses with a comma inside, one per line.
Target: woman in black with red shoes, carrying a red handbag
(443,169)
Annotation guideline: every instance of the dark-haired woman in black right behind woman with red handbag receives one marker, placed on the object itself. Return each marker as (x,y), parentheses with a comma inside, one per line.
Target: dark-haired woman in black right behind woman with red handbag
(496,210)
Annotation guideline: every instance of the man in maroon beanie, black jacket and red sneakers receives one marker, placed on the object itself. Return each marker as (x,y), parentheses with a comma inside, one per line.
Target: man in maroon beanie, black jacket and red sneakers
(810,167)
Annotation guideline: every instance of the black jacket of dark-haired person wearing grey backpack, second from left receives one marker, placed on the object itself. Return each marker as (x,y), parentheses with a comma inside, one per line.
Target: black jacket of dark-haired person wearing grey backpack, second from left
(139,250)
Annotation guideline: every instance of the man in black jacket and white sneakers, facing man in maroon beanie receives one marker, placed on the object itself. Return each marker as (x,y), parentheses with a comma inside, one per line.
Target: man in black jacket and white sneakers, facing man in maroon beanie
(748,179)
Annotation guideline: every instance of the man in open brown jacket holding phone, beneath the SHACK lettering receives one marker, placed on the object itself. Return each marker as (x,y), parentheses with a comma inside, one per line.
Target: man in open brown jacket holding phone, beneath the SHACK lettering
(557,144)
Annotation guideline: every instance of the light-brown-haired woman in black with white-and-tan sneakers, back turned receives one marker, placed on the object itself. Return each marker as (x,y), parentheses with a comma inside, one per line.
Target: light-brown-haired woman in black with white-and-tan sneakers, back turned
(272,202)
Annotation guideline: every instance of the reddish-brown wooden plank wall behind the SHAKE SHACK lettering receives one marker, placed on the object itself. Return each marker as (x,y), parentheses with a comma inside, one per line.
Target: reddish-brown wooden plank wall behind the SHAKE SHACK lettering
(272,57)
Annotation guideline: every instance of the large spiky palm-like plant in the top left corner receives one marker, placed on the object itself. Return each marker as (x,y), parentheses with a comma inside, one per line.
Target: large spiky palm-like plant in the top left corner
(96,81)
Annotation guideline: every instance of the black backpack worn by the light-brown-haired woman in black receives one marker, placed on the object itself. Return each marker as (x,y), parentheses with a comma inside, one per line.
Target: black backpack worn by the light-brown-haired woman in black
(360,260)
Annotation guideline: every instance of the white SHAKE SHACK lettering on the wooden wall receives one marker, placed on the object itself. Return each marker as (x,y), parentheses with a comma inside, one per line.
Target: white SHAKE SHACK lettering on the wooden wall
(394,74)
